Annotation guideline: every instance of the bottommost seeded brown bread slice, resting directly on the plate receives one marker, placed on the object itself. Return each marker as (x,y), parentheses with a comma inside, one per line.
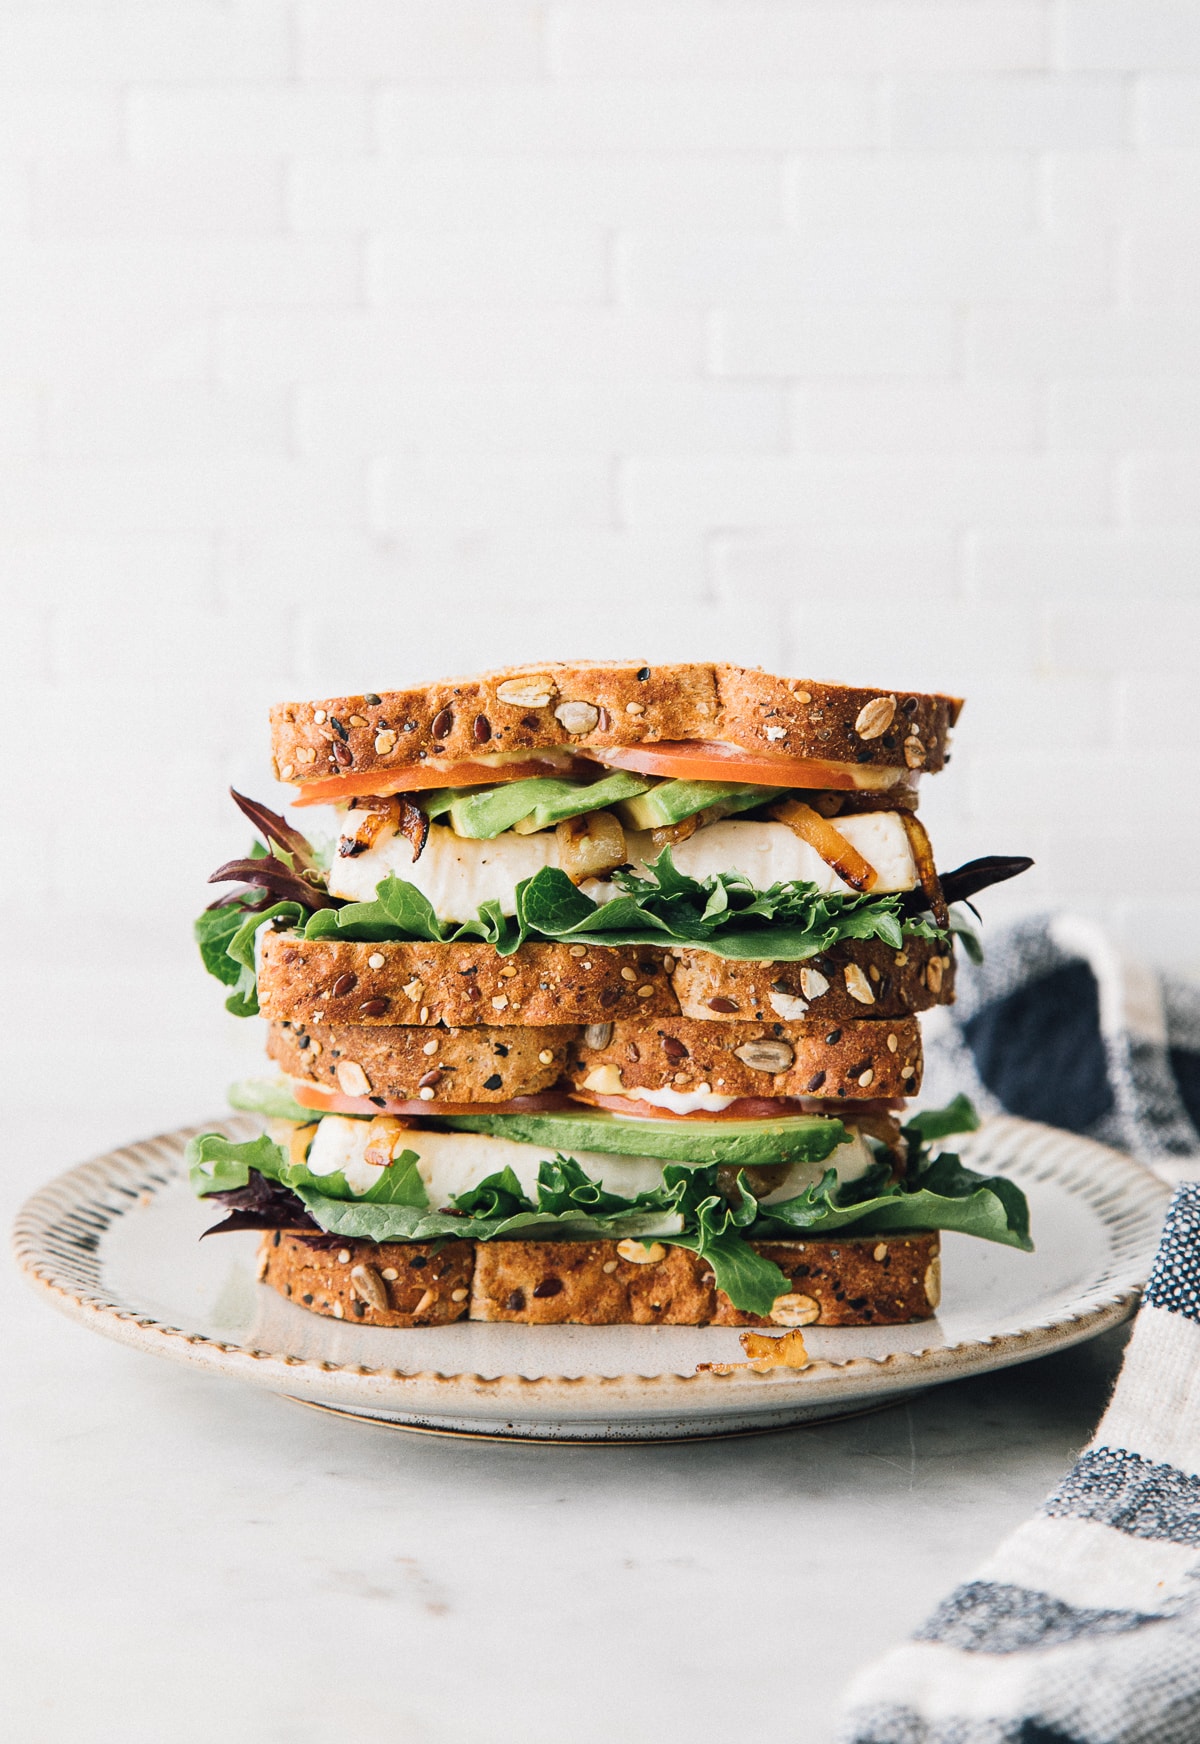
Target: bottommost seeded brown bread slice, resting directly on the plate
(852,1281)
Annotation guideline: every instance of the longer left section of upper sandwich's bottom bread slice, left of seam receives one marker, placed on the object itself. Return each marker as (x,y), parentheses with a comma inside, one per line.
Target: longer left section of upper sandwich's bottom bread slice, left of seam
(458,984)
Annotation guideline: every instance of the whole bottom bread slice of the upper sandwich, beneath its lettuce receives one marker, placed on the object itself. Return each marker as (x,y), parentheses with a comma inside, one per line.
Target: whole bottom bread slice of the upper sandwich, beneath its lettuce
(332,979)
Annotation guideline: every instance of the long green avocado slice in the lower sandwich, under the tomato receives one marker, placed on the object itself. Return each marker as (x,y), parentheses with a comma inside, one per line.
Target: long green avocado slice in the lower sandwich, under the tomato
(746,1143)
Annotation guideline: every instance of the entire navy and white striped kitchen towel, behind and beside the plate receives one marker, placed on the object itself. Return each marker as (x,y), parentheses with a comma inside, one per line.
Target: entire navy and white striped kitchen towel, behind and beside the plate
(1084,1628)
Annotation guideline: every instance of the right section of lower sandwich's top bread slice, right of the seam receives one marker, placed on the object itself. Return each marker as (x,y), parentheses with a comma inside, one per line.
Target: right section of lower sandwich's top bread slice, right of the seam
(852,1059)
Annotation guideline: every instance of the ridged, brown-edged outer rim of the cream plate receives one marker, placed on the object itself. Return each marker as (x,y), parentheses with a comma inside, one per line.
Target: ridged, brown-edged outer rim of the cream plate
(929,1366)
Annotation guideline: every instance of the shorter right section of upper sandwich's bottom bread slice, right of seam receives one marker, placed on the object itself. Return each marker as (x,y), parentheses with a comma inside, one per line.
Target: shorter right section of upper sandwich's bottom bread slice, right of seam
(859,978)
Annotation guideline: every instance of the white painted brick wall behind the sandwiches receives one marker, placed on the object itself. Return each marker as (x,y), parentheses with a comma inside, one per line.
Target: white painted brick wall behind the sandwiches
(355,341)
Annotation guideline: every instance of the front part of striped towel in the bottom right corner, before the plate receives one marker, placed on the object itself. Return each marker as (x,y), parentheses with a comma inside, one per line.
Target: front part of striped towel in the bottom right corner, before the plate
(1084,1628)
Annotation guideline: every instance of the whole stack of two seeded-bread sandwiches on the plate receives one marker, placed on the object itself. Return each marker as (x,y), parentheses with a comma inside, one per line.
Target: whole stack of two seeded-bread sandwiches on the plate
(594,998)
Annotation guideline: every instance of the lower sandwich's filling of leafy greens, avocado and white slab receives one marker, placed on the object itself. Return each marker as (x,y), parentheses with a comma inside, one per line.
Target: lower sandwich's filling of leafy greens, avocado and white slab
(500,1178)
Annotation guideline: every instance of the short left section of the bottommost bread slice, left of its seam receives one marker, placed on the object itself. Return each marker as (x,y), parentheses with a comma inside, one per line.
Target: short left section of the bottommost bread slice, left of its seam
(371,1283)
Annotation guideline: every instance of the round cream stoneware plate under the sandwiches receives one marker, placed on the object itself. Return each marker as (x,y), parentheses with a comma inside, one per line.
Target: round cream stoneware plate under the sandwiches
(114,1244)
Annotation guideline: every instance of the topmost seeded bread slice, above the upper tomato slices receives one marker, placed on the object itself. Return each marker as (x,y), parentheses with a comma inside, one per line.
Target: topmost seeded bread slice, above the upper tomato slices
(596,705)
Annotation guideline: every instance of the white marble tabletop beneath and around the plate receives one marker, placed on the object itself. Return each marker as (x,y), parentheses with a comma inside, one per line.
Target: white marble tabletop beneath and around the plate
(187,1560)
